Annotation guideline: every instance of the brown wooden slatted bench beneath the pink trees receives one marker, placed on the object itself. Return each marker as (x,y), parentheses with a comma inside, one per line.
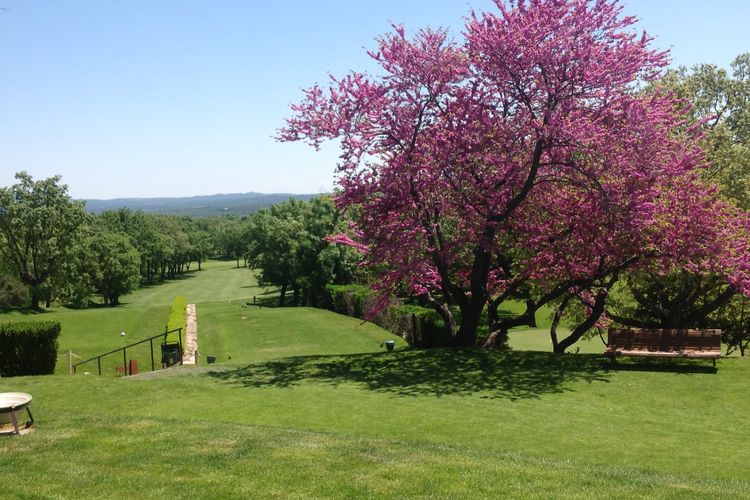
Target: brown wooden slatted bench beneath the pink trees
(664,343)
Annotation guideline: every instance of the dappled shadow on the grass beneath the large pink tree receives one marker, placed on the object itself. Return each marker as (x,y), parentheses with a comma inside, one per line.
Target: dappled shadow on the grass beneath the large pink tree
(436,372)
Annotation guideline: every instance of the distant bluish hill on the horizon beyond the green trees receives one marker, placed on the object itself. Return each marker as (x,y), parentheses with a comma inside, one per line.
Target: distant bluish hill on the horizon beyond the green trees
(197,206)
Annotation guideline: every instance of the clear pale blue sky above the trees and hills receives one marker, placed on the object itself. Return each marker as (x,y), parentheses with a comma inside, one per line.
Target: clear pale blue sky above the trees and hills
(144,98)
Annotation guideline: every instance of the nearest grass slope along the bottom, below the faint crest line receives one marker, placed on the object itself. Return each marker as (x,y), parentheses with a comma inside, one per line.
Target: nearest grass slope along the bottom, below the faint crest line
(221,460)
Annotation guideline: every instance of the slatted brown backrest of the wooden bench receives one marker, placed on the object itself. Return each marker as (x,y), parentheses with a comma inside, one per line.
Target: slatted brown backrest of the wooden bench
(664,340)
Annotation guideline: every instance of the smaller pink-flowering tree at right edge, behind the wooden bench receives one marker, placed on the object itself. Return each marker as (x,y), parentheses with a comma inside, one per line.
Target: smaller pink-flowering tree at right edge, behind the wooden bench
(691,229)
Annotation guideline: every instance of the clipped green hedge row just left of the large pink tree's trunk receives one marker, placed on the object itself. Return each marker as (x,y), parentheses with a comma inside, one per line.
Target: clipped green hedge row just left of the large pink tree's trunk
(419,326)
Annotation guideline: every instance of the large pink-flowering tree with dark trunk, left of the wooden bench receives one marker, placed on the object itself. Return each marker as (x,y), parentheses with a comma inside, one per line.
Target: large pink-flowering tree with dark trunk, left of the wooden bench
(523,162)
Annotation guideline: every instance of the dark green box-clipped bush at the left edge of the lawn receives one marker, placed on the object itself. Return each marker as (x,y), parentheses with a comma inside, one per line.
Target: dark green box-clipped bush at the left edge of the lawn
(28,348)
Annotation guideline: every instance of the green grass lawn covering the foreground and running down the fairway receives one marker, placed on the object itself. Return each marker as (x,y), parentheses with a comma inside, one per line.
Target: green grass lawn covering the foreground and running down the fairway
(306,403)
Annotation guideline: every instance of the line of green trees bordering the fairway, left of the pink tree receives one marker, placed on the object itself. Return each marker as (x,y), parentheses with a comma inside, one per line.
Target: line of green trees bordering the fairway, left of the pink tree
(51,250)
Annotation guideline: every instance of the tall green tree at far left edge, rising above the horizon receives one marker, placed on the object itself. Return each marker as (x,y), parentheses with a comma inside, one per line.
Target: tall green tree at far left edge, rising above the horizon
(39,224)
